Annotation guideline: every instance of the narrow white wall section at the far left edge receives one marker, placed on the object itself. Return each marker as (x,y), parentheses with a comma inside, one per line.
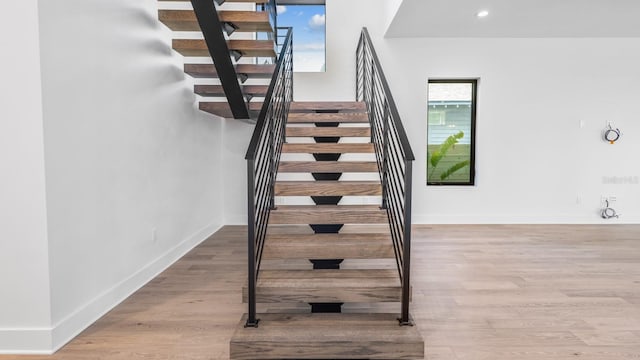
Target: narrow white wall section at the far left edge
(25,316)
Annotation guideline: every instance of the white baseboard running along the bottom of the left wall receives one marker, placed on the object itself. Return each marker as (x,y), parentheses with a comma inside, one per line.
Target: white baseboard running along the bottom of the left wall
(49,340)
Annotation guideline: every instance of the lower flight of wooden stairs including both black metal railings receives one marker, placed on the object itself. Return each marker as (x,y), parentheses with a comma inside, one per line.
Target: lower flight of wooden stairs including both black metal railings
(329,227)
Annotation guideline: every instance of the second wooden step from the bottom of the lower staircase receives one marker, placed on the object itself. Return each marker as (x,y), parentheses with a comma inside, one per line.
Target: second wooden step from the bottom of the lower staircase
(344,285)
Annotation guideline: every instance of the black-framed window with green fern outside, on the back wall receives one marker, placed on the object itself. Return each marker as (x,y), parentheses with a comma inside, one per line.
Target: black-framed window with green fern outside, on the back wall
(451,122)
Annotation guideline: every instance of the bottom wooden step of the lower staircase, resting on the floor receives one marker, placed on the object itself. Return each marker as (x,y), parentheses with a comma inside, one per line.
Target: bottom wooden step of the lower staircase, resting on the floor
(326,336)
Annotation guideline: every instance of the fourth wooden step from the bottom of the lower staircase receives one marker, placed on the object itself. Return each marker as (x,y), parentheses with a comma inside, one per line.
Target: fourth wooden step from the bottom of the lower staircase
(328,214)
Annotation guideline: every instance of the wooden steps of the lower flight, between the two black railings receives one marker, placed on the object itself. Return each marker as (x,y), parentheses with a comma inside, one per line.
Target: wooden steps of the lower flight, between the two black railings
(316,278)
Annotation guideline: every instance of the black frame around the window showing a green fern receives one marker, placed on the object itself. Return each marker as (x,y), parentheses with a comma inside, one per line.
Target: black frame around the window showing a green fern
(474,106)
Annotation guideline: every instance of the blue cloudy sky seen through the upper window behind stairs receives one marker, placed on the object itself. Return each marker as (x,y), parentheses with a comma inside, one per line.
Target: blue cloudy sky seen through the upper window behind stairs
(308,22)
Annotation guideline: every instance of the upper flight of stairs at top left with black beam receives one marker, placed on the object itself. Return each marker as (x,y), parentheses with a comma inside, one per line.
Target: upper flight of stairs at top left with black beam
(235,83)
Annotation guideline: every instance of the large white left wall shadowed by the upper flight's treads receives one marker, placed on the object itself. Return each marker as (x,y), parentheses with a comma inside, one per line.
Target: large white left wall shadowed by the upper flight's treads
(133,169)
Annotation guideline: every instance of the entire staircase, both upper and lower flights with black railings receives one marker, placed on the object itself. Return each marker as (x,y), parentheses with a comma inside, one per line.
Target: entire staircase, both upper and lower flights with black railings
(329,192)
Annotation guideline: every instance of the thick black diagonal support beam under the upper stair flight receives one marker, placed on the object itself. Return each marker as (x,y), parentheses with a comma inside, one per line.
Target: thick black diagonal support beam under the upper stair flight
(213,31)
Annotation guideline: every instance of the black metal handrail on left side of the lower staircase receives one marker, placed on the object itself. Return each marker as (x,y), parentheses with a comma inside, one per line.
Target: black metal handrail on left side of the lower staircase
(262,158)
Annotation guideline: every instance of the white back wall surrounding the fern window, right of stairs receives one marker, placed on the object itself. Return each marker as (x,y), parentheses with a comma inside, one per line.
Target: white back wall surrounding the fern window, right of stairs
(535,164)
